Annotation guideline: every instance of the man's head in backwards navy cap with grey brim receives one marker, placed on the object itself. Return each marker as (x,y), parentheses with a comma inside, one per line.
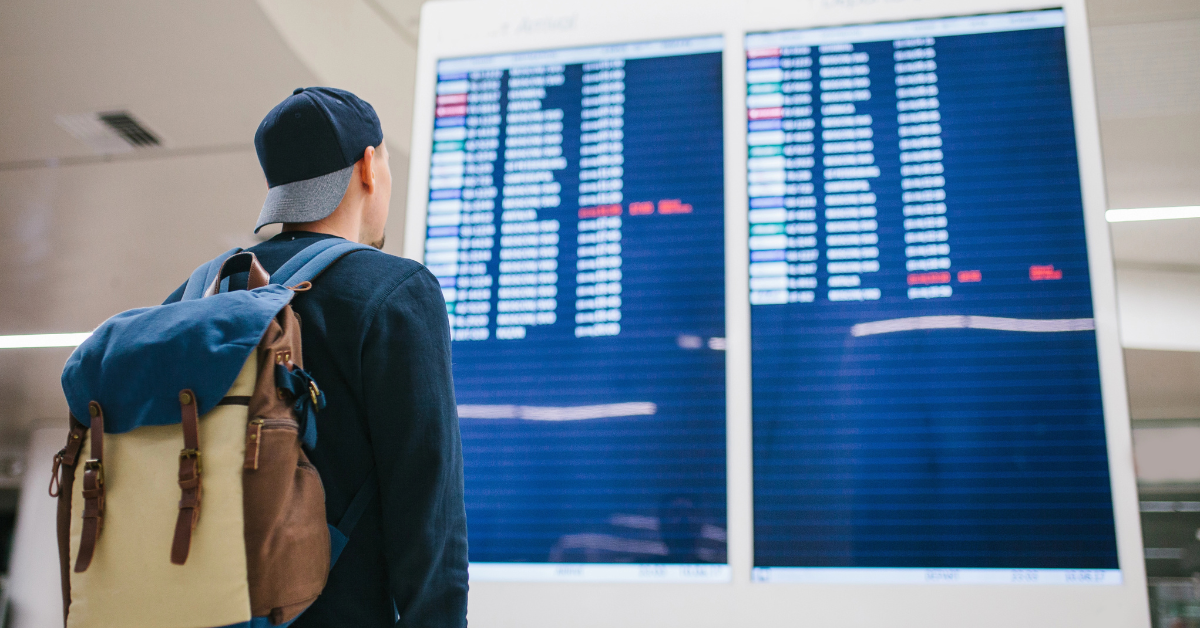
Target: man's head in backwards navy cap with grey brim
(327,166)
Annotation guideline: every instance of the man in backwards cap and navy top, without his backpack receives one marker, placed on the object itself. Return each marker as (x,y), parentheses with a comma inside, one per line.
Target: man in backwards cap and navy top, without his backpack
(377,342)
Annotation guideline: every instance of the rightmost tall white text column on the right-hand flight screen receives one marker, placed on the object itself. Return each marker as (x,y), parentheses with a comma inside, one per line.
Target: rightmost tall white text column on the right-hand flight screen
(923,186)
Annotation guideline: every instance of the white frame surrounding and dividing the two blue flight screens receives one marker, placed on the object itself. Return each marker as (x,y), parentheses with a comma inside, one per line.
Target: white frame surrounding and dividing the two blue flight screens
(469,28)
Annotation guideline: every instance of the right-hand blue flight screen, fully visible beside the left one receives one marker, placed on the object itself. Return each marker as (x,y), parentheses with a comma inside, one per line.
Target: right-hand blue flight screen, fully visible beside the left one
(927,394)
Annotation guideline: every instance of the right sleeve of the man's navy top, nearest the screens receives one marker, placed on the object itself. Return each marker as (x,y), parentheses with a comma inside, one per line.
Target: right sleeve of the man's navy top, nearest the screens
(413,424)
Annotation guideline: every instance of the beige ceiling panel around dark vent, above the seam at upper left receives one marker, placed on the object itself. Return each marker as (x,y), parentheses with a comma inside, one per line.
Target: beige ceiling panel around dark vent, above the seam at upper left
(197,74)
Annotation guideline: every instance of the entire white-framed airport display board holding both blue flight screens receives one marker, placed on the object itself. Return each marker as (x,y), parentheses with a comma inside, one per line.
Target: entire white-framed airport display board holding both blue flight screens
(770,312)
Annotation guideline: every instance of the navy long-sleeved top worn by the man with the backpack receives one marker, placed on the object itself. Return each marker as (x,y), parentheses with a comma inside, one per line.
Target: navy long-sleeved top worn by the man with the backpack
(377,342)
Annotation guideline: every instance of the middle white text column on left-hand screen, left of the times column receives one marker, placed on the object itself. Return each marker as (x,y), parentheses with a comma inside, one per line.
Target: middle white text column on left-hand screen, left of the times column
(533,153)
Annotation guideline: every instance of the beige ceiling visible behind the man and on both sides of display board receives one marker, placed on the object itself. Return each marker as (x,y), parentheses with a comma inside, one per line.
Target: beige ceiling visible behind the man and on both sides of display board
(85,236)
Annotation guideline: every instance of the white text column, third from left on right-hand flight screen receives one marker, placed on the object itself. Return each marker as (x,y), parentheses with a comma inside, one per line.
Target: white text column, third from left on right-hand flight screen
(848,170)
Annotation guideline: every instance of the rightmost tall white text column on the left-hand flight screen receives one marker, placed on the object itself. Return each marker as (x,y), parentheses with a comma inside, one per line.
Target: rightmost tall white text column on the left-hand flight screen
(602,171)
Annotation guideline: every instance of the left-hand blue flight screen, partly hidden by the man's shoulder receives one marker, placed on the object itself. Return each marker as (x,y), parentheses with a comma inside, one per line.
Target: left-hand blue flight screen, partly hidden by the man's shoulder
(577,225)
